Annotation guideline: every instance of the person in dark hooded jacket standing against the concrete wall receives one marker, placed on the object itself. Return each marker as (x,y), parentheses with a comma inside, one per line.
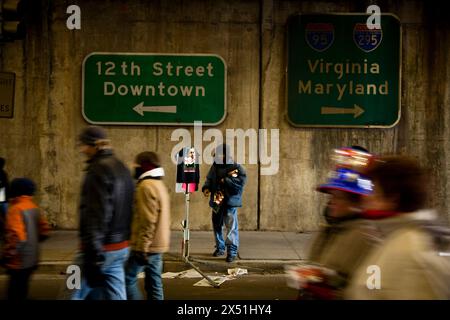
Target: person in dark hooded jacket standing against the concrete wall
(224,186)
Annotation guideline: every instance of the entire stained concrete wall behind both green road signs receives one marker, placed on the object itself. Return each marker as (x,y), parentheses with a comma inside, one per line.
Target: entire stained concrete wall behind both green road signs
(40,141)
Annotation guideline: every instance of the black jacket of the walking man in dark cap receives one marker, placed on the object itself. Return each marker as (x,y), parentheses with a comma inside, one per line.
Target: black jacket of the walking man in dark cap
(105,205)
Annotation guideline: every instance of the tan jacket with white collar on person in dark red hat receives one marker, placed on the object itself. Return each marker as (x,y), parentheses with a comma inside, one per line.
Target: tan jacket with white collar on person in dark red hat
(151,220)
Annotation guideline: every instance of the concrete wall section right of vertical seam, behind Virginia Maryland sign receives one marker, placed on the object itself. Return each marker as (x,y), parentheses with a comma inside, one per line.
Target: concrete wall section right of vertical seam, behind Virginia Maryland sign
(423,131)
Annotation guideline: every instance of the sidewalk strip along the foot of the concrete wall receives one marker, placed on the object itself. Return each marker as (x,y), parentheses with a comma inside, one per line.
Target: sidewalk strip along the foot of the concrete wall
(260,251)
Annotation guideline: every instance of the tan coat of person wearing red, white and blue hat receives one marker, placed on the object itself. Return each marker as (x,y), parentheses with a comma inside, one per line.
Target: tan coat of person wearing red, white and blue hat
(342,247)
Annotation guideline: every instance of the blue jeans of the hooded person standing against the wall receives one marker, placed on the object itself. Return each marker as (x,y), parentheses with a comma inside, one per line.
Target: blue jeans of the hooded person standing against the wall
(227,216)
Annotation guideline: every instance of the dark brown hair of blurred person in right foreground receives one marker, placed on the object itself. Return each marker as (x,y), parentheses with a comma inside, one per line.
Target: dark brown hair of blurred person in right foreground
(401,179)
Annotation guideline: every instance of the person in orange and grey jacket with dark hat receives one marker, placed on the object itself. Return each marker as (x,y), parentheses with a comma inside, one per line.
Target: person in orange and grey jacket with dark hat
(25,227)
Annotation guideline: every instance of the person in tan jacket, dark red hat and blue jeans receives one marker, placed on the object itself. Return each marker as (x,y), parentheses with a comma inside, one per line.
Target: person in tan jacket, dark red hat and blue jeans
(150,236)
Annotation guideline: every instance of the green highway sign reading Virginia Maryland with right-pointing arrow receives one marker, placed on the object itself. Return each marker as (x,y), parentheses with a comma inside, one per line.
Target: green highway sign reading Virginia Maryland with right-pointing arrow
(340,73)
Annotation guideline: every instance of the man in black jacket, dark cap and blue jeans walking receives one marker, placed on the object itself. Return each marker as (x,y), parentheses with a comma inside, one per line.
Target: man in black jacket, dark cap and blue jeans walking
(105,219)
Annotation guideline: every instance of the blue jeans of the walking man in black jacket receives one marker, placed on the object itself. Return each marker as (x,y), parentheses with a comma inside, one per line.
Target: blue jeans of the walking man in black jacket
(113,269)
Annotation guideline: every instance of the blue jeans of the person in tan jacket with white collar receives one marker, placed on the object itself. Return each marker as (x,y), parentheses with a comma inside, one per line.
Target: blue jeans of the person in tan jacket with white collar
(153,282)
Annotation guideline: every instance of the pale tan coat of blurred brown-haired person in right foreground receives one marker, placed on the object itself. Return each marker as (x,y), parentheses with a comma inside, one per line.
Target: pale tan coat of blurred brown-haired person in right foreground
(402,261)
